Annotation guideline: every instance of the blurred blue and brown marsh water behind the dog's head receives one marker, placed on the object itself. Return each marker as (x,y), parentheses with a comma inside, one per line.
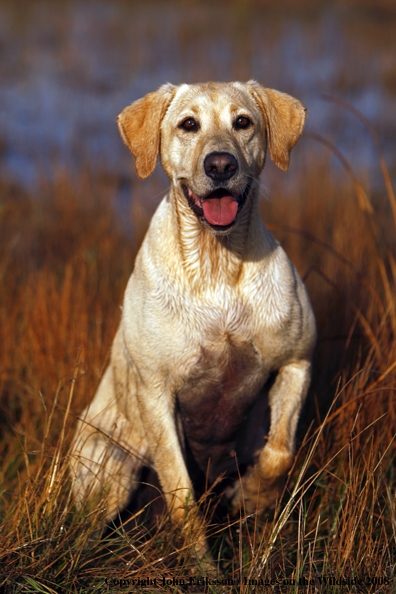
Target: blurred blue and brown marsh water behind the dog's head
(67,68)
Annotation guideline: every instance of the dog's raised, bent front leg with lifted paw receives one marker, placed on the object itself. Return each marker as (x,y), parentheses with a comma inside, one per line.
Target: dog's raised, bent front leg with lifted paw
(286,398)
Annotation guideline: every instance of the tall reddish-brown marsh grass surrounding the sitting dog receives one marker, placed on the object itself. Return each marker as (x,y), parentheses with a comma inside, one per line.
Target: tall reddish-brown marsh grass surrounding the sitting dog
(64,264)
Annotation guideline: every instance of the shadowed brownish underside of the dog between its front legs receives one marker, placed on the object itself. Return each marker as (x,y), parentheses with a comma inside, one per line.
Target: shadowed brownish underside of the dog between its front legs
(216,398)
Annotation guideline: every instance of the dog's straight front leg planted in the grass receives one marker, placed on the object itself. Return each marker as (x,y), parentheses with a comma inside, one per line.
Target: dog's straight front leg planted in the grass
(157,410)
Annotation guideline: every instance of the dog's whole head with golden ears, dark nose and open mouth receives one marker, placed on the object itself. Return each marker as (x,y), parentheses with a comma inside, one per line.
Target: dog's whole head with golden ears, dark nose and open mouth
(213,139)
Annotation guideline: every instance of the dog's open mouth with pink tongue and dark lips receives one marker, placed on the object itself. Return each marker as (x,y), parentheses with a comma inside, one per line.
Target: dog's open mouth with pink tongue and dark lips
(219,208)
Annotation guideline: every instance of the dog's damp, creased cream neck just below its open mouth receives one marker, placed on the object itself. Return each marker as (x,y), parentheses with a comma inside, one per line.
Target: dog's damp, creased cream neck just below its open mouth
(209,259)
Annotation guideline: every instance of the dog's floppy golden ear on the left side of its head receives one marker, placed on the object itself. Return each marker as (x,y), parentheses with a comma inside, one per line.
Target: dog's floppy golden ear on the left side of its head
(139,125)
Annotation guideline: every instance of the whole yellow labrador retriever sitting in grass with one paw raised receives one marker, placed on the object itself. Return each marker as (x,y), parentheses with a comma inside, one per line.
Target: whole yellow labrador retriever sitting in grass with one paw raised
(213,307)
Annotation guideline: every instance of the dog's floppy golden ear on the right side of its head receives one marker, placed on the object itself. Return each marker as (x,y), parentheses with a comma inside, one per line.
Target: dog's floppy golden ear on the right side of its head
(284,119)
